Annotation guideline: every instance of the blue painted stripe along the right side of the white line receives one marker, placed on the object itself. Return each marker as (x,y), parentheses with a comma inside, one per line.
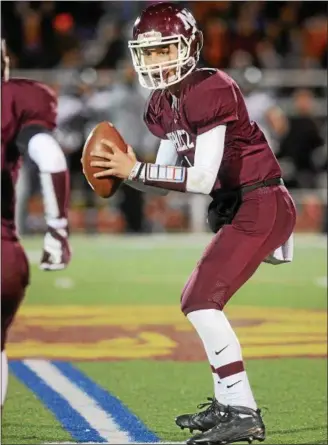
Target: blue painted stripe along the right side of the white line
(124,418)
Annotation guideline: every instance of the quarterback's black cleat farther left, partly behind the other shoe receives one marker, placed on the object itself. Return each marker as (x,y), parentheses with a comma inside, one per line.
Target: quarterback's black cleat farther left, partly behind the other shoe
(204,420)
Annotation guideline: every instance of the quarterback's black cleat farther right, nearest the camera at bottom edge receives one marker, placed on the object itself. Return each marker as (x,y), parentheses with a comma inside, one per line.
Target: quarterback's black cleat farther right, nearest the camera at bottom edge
(231,428)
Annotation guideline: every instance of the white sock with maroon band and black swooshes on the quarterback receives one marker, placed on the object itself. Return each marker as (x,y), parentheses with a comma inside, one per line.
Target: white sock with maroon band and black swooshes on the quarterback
(224,355)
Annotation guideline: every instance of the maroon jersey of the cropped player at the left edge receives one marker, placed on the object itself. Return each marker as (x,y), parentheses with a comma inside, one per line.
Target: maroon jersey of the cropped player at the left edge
(24,103)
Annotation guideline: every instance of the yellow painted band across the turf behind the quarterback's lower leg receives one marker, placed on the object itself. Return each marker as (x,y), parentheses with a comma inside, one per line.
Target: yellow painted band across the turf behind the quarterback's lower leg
(263,332)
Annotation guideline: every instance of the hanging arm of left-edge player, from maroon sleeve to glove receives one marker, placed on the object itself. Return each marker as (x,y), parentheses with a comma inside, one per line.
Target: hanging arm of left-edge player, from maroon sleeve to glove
(37,105)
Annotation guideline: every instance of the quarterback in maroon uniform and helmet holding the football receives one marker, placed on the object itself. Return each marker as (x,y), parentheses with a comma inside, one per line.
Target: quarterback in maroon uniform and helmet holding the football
(209,146)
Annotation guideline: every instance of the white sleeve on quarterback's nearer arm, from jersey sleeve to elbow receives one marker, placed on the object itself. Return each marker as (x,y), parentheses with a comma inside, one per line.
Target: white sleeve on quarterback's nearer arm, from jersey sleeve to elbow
(208,156)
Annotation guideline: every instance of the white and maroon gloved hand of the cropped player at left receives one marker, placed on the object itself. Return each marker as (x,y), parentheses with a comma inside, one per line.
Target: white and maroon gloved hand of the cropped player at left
(56,250)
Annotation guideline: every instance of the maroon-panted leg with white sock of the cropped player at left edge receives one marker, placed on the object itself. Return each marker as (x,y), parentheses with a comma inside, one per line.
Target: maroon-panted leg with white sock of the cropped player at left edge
(14,279)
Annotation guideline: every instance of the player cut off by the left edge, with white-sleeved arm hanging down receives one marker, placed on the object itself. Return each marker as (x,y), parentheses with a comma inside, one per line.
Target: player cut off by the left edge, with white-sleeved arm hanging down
(28,117)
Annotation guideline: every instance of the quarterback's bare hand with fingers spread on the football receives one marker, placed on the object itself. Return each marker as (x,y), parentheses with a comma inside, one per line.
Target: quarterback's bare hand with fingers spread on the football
(117,164)
